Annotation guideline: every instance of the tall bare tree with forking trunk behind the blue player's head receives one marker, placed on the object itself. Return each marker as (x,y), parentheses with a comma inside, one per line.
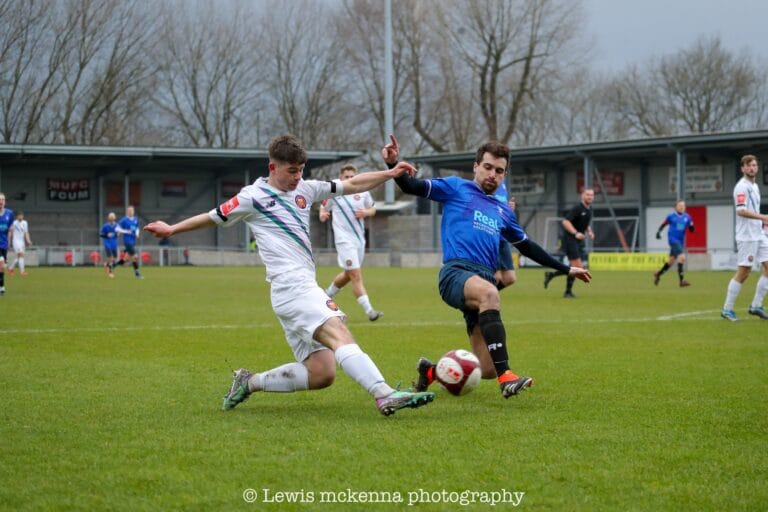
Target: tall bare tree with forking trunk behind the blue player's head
(511,48)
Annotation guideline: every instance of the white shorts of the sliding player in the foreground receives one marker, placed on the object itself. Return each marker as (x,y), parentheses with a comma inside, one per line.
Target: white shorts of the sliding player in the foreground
(302,306)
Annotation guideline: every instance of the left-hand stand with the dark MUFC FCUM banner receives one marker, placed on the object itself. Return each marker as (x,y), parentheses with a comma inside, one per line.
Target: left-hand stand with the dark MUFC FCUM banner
(67,191)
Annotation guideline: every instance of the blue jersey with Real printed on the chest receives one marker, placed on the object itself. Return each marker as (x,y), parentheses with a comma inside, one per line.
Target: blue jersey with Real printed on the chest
(473,222)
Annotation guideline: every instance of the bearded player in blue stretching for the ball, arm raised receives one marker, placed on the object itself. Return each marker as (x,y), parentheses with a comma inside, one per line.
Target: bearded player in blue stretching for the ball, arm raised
(473,224)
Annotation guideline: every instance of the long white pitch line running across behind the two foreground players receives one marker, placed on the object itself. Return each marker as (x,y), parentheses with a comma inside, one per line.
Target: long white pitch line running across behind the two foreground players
(138,328)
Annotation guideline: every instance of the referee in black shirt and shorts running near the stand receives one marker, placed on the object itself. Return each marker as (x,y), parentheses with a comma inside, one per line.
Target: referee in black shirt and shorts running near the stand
(576,229)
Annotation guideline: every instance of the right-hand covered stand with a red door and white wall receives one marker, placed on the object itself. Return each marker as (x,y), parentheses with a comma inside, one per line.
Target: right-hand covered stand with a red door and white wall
(636,184)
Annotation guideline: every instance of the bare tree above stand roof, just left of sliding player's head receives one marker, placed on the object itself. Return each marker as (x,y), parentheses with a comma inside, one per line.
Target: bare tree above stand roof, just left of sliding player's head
(209,74)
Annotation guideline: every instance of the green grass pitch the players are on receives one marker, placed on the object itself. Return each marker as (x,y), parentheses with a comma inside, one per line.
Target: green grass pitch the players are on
(644,399)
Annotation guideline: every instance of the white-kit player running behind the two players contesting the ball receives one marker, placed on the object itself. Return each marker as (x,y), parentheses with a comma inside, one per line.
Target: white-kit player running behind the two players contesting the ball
(349,213)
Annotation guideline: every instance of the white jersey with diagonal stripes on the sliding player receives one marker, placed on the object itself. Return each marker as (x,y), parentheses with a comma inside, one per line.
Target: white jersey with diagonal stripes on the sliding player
(279,221)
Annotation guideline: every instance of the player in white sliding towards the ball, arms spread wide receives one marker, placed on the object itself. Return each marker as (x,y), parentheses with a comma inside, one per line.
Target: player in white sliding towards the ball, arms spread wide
(277,210)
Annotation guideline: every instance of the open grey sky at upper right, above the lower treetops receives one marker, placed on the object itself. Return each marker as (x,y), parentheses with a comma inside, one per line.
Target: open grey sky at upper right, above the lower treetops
(629,31)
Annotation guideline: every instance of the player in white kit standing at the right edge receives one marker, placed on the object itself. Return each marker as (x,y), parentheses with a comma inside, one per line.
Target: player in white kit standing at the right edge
(751,241)
